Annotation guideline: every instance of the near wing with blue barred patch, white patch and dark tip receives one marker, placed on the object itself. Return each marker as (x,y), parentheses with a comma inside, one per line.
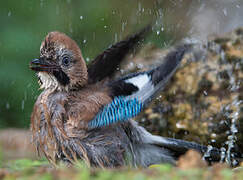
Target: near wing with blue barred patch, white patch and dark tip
(132,93)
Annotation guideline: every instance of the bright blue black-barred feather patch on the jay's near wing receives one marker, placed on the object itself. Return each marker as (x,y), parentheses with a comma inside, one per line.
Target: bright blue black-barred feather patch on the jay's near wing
(119,110)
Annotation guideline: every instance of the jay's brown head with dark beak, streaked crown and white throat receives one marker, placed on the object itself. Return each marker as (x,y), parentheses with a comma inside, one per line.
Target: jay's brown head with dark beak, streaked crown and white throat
(61,64)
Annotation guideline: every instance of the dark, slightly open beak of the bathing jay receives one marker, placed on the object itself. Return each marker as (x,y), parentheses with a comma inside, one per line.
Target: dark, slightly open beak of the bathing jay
(42,64)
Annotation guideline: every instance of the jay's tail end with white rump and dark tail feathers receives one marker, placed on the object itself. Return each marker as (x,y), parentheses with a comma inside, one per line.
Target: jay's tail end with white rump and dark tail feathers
(151,149)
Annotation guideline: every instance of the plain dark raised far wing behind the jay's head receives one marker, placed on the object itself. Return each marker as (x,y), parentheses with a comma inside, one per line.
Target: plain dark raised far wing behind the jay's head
(106,63)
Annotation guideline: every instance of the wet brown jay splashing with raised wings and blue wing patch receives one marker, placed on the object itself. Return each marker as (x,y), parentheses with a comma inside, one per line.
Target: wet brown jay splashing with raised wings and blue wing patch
(85,114)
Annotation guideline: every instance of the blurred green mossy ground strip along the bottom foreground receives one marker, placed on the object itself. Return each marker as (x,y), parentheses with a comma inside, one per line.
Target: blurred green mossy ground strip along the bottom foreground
(38,170)
